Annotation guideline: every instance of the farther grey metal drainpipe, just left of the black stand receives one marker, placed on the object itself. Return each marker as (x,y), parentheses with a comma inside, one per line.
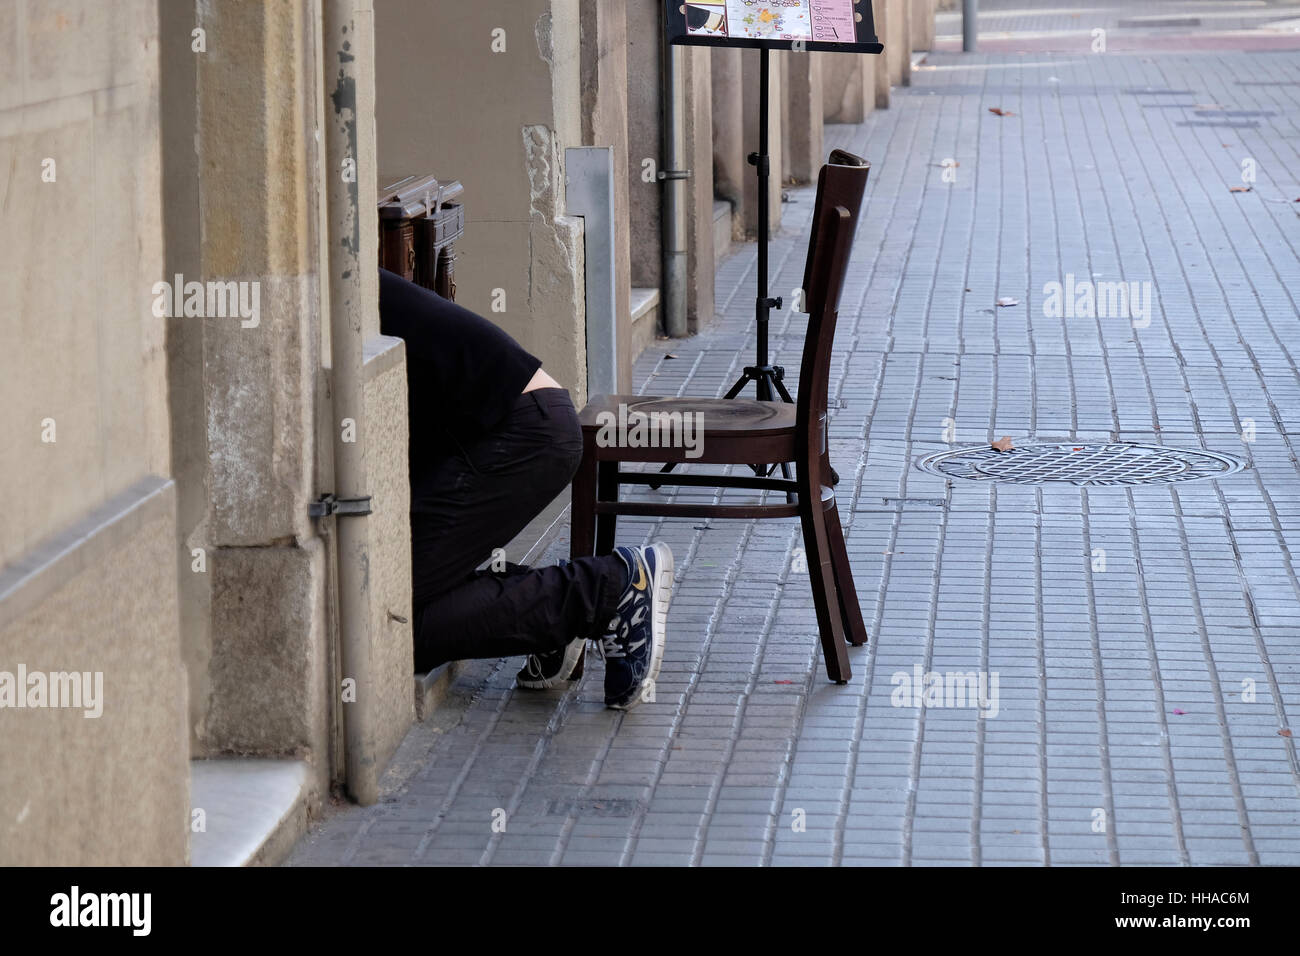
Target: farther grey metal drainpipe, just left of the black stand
(674,210)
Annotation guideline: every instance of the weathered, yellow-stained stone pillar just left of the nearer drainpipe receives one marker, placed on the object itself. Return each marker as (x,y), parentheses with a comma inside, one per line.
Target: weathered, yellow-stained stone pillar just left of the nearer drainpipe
(257,639)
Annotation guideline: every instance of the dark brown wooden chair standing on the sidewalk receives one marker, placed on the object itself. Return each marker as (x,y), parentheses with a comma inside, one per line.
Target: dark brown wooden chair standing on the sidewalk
(753,434)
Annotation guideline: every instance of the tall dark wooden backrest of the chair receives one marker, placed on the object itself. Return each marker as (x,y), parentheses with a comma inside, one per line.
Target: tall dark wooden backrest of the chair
(835,219)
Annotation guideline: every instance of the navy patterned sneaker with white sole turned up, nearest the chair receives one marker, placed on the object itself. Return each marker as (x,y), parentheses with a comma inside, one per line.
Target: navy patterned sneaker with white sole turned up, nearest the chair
(634,646)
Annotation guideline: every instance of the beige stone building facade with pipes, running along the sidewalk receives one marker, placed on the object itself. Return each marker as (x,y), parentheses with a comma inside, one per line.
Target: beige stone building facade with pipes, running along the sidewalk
(193,652)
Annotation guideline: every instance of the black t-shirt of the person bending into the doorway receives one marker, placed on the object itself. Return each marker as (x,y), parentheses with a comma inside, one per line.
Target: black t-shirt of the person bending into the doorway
(463,373)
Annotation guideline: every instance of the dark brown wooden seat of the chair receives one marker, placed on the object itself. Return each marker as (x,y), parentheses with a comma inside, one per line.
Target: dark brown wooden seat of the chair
(716,431)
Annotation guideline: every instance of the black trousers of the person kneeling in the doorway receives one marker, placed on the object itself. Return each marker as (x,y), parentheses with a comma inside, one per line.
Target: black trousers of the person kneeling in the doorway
(482,496)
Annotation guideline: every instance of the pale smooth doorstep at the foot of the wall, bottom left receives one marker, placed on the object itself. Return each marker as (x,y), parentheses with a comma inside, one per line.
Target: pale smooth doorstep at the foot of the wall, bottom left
(254,810)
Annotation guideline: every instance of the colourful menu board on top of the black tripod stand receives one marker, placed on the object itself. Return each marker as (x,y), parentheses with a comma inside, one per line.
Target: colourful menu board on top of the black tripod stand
(779,24)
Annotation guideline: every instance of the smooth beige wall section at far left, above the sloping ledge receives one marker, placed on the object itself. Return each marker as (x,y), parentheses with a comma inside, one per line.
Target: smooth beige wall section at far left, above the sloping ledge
(80,88)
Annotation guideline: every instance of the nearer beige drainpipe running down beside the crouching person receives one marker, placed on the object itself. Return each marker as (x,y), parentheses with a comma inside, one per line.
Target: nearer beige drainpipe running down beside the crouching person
(346,310)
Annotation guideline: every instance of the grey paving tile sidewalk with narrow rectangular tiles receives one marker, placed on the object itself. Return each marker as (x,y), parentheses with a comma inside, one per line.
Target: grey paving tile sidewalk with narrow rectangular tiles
(1146,639)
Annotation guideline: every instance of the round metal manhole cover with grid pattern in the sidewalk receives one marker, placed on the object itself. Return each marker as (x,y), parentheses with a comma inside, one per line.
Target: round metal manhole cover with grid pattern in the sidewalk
(1098,464)
